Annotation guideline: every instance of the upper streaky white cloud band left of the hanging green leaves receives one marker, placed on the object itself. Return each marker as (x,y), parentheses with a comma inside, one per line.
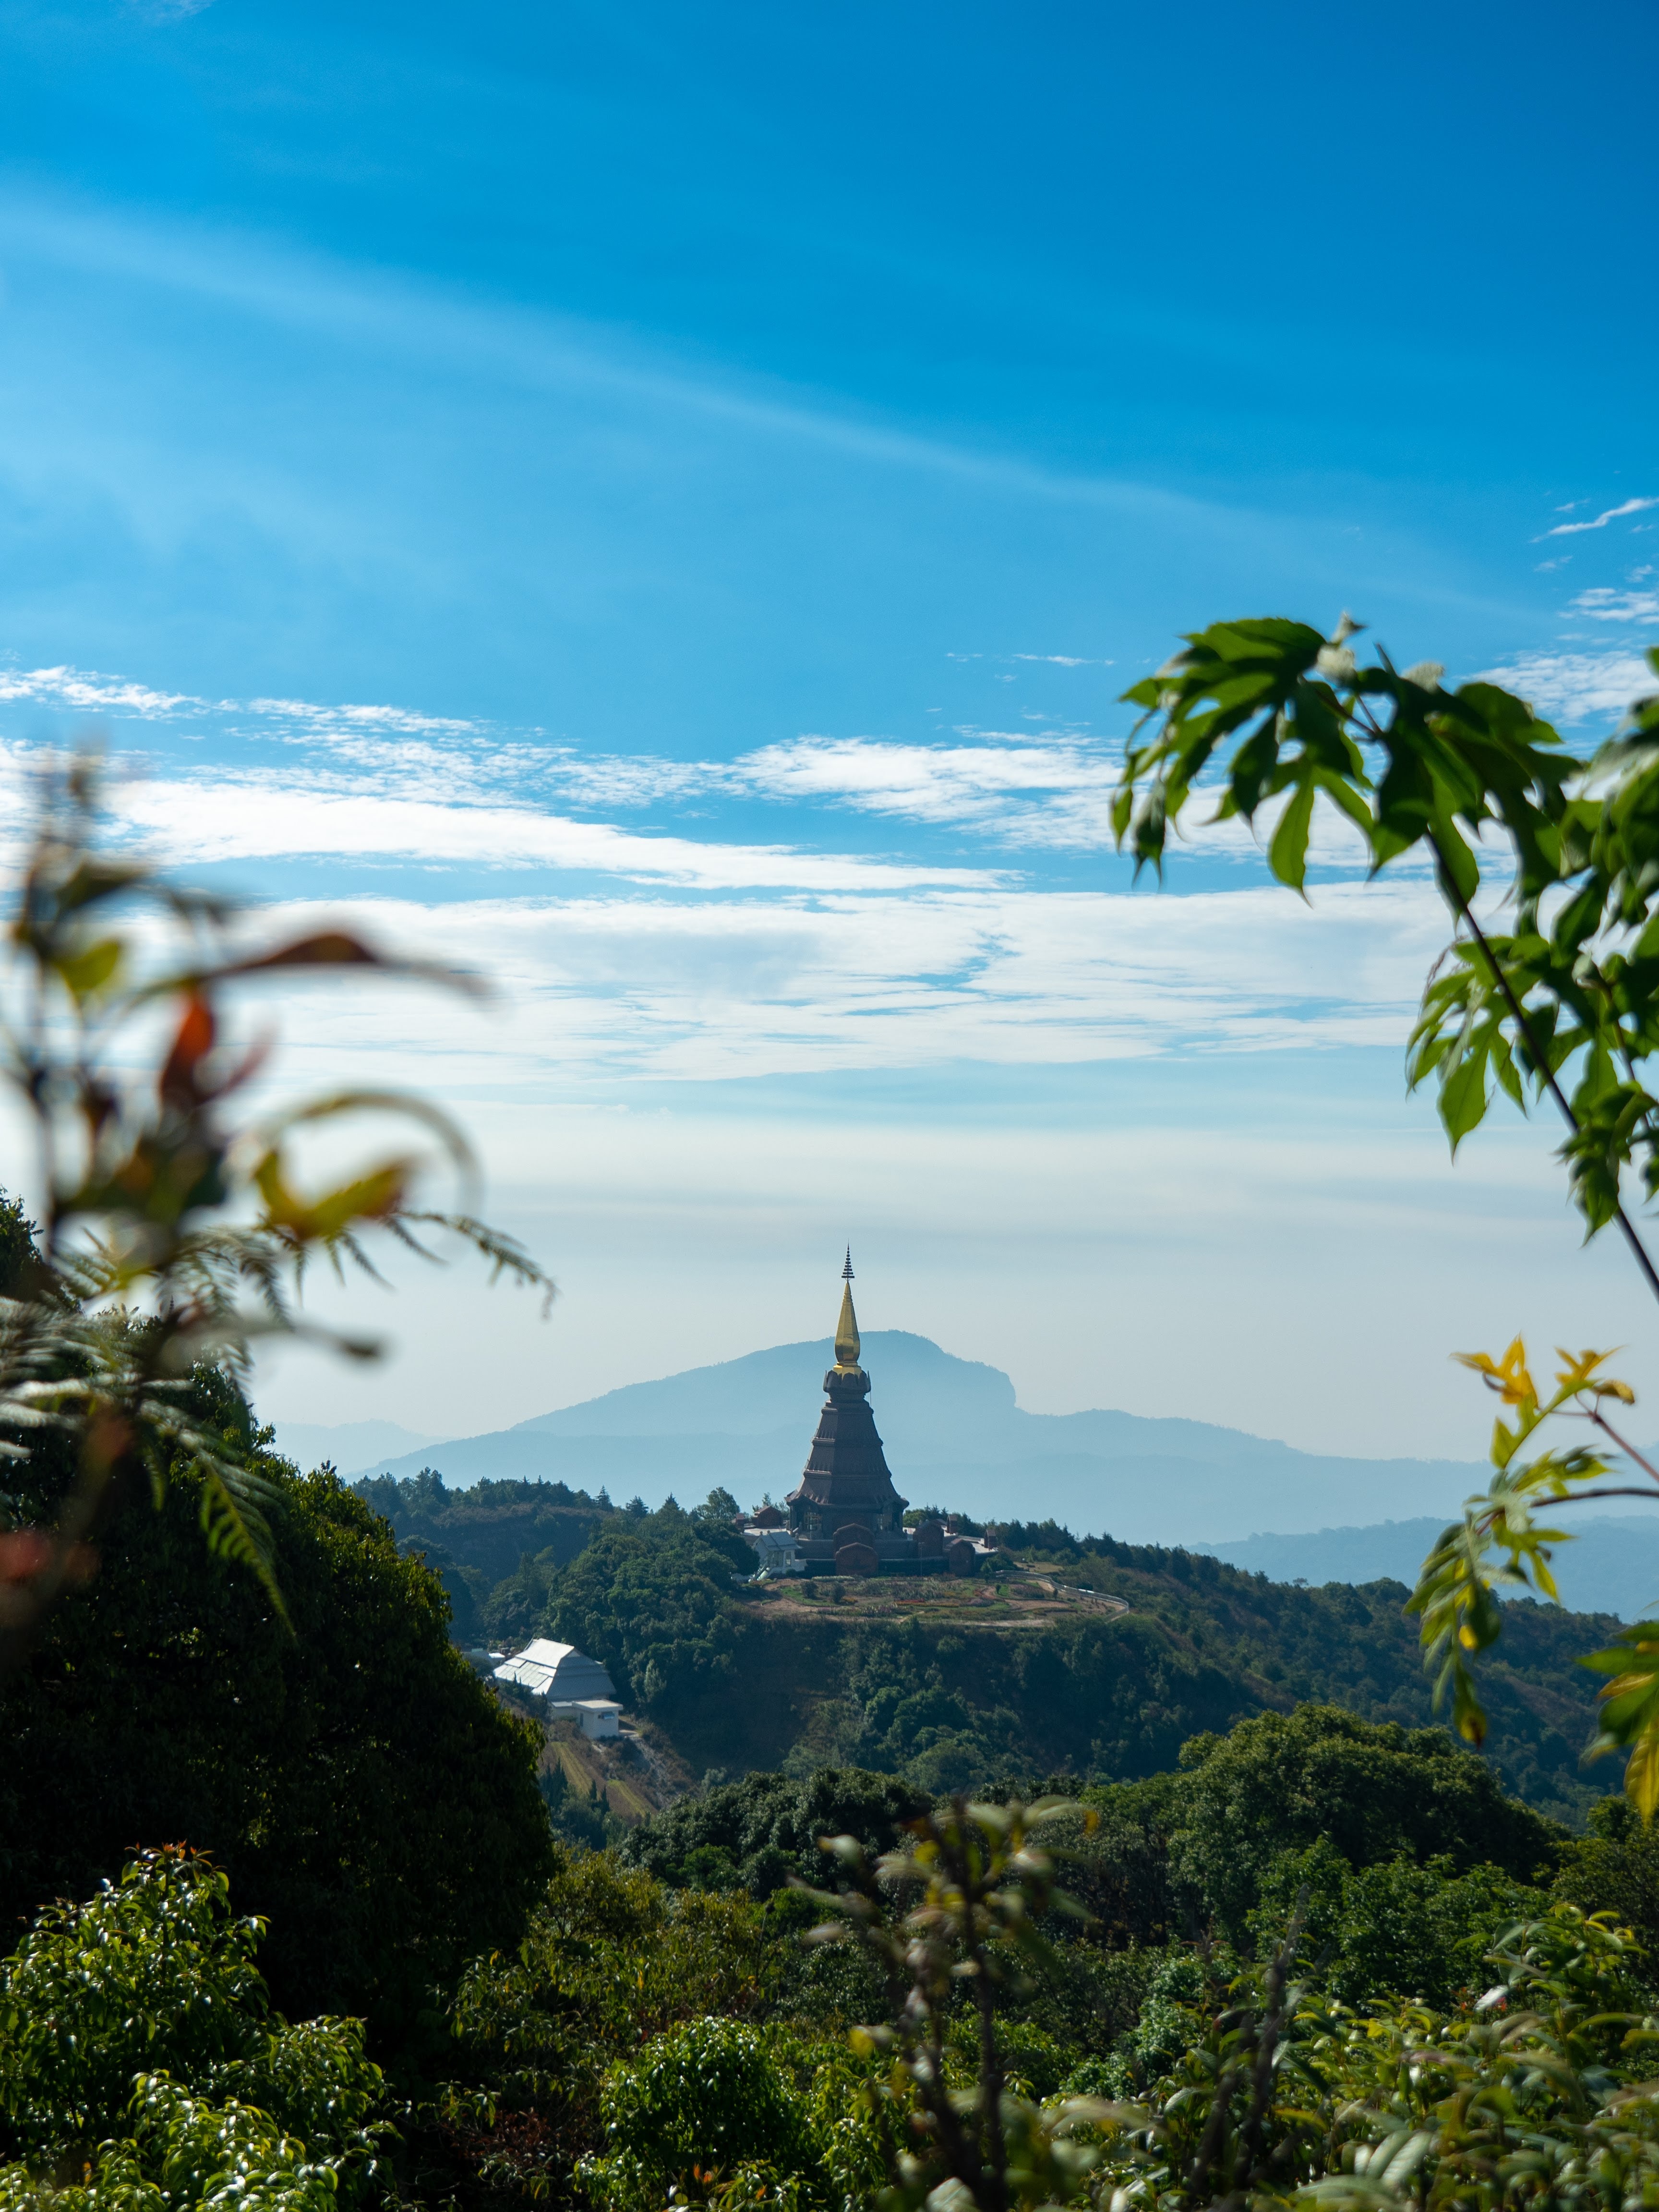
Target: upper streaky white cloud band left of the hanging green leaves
(388,784)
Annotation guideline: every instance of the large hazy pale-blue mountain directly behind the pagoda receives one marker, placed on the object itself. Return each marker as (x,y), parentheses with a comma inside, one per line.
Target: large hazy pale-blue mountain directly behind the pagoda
(954,1437)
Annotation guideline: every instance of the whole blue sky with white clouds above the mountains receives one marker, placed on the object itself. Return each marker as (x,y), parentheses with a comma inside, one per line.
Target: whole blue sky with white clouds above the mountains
(658,505)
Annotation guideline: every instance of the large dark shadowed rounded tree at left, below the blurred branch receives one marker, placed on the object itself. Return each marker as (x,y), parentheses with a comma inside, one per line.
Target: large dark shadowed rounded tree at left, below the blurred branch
(171,1702)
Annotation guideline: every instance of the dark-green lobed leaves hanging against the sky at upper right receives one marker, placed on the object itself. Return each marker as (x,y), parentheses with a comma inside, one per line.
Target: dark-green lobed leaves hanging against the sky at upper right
(1269,713)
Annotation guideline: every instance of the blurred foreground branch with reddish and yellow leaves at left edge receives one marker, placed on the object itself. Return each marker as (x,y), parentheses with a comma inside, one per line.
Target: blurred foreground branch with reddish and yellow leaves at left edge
(174,1233)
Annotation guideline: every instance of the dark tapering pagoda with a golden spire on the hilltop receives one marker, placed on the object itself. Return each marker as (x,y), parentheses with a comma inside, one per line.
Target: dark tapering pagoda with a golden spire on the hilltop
(846,1514)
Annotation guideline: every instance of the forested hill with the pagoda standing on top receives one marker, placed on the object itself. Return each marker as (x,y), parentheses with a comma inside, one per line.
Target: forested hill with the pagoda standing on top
(784,1680)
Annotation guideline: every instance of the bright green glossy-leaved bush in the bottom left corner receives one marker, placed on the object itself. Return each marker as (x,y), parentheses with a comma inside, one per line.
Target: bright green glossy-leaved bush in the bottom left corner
(138,2023)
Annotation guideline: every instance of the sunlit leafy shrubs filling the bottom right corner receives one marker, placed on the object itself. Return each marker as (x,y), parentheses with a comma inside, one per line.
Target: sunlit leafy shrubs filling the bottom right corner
(1536,2094)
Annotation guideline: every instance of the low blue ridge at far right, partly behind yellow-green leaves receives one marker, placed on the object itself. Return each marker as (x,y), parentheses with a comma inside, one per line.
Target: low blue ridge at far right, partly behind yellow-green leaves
(1611,1567)
